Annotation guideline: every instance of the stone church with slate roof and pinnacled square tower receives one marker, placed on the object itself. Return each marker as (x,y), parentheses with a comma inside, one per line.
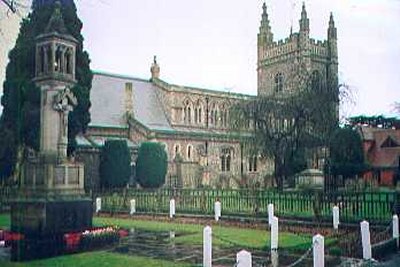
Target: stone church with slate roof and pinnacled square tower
(194,122)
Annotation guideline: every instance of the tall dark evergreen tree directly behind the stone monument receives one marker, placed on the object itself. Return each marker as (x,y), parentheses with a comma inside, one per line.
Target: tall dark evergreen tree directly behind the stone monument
(20,121)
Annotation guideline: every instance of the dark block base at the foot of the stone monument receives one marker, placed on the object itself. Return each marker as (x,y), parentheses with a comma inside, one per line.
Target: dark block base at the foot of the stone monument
(43,224)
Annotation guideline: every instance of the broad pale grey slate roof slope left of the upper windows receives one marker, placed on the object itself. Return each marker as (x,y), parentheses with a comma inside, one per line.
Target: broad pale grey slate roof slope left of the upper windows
(108,102)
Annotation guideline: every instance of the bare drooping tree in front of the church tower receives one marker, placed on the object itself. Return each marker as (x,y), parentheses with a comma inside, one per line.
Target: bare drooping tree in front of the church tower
(281,126)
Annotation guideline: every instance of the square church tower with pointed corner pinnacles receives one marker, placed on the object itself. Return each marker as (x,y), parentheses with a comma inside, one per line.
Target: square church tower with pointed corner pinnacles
(287,65)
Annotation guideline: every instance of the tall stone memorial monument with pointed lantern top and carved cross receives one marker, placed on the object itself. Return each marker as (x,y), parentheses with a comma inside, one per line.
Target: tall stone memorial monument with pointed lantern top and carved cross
(51,200)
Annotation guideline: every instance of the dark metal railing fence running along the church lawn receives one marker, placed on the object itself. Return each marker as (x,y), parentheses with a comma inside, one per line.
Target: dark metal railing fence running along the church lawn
(354,206)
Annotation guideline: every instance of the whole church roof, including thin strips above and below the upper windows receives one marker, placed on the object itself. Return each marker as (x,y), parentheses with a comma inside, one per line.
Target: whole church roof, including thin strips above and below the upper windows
(107,97)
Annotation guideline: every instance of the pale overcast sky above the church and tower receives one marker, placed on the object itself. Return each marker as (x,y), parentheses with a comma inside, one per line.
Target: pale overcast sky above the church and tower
(212,43)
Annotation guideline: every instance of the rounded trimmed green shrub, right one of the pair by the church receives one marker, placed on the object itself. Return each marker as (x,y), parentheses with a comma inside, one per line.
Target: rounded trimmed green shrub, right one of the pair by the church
(151,165)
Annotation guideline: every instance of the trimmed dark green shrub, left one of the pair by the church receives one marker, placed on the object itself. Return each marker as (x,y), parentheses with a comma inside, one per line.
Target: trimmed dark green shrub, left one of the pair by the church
(115,164)
